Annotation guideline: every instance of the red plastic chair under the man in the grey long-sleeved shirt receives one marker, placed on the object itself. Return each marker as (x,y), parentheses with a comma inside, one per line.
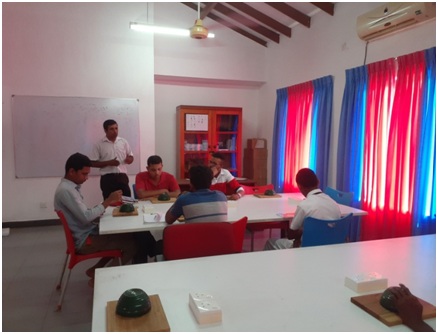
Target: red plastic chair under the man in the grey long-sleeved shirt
(74,258)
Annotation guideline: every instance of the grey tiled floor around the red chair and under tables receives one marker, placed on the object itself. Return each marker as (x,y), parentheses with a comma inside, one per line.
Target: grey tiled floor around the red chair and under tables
(32,260)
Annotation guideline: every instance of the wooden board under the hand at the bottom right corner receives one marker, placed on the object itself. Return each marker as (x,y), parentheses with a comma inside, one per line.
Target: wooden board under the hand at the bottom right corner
(370,304)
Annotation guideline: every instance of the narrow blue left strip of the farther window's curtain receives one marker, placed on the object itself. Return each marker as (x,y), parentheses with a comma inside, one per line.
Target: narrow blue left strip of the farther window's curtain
(278,145)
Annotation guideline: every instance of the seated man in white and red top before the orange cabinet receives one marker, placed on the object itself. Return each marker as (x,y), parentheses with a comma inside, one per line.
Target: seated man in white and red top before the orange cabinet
(223,180)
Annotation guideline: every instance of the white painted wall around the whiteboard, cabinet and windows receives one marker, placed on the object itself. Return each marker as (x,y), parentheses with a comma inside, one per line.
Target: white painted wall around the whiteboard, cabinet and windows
(87,49)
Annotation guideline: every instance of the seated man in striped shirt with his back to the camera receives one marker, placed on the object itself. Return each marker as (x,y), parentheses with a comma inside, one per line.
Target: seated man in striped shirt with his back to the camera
(201,205)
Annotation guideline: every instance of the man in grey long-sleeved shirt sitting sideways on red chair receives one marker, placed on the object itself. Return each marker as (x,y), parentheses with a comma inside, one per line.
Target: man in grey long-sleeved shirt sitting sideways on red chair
(83,221)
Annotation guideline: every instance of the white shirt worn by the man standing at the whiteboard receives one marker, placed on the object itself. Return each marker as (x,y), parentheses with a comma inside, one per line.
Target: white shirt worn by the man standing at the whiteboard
(105,150)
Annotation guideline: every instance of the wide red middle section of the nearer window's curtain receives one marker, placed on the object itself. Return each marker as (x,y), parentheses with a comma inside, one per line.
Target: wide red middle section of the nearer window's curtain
(393,104)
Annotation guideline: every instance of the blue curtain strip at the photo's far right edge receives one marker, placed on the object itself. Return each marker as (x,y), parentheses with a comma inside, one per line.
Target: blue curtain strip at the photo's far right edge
(424,209)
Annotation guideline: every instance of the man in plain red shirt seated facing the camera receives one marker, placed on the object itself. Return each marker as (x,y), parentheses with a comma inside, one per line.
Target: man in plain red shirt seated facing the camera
(155,181)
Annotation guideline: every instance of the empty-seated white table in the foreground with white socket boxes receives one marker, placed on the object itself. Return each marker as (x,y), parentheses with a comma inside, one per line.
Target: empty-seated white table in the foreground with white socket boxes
(287,290)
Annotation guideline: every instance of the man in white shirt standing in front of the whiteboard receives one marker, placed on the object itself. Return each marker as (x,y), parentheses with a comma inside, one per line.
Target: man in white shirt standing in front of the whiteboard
(111,154)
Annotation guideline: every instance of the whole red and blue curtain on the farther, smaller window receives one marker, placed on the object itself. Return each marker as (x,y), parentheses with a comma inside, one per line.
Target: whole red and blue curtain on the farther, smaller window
(302,131)
